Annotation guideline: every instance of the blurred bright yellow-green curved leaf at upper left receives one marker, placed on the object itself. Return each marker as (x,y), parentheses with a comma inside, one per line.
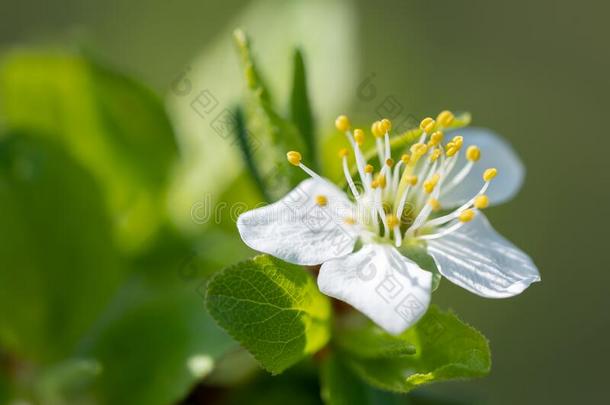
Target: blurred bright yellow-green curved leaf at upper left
(111,125)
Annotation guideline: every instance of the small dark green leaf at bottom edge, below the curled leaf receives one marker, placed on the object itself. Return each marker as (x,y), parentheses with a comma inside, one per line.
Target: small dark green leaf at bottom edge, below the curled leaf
(339,386)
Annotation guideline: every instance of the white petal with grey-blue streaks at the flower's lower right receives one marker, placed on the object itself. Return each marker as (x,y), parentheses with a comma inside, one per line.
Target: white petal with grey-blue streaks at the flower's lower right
(480,260)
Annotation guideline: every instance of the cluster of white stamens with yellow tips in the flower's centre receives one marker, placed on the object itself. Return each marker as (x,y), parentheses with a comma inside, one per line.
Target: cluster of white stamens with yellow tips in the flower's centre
(402,199)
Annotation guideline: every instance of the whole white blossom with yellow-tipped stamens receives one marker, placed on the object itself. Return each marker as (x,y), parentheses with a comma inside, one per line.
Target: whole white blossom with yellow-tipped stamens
(359,240)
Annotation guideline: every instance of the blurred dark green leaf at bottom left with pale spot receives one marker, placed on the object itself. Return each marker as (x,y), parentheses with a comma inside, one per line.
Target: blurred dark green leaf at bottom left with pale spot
(156,340)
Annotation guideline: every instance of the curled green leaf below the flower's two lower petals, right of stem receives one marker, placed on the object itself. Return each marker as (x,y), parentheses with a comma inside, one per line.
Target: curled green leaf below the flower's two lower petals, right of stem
(446,349)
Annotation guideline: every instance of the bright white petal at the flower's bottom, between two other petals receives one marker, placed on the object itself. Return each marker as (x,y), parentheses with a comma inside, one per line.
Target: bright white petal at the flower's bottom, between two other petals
(381,283)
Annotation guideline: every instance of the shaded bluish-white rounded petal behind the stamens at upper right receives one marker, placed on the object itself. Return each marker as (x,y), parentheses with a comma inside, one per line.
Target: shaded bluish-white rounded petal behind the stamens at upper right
(495,152)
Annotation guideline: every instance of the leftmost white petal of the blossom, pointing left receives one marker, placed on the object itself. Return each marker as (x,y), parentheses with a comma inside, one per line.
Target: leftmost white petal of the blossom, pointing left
(299,231)
